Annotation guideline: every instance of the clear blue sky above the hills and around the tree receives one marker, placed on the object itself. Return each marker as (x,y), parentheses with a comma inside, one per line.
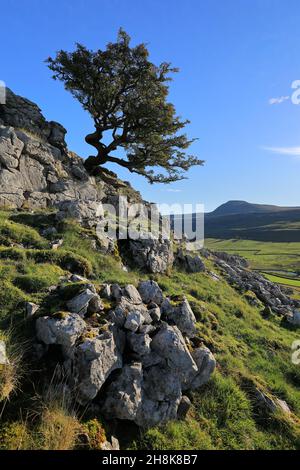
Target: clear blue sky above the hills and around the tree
(234,57)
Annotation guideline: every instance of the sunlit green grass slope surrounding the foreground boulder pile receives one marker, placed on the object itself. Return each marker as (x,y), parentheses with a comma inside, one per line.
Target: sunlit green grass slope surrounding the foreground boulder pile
(250,351)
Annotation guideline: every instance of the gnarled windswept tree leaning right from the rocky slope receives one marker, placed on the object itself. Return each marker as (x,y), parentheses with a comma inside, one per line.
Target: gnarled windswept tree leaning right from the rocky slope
(126,96)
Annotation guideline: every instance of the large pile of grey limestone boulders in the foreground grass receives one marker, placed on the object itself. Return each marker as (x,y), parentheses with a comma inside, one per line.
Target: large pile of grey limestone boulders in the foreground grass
(134,364)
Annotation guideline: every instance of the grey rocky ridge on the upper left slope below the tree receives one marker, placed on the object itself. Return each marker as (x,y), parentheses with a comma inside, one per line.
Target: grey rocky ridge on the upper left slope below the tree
(37,171)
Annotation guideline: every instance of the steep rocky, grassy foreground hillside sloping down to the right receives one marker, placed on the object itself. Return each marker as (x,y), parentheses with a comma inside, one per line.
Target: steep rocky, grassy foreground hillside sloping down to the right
(131,344)
